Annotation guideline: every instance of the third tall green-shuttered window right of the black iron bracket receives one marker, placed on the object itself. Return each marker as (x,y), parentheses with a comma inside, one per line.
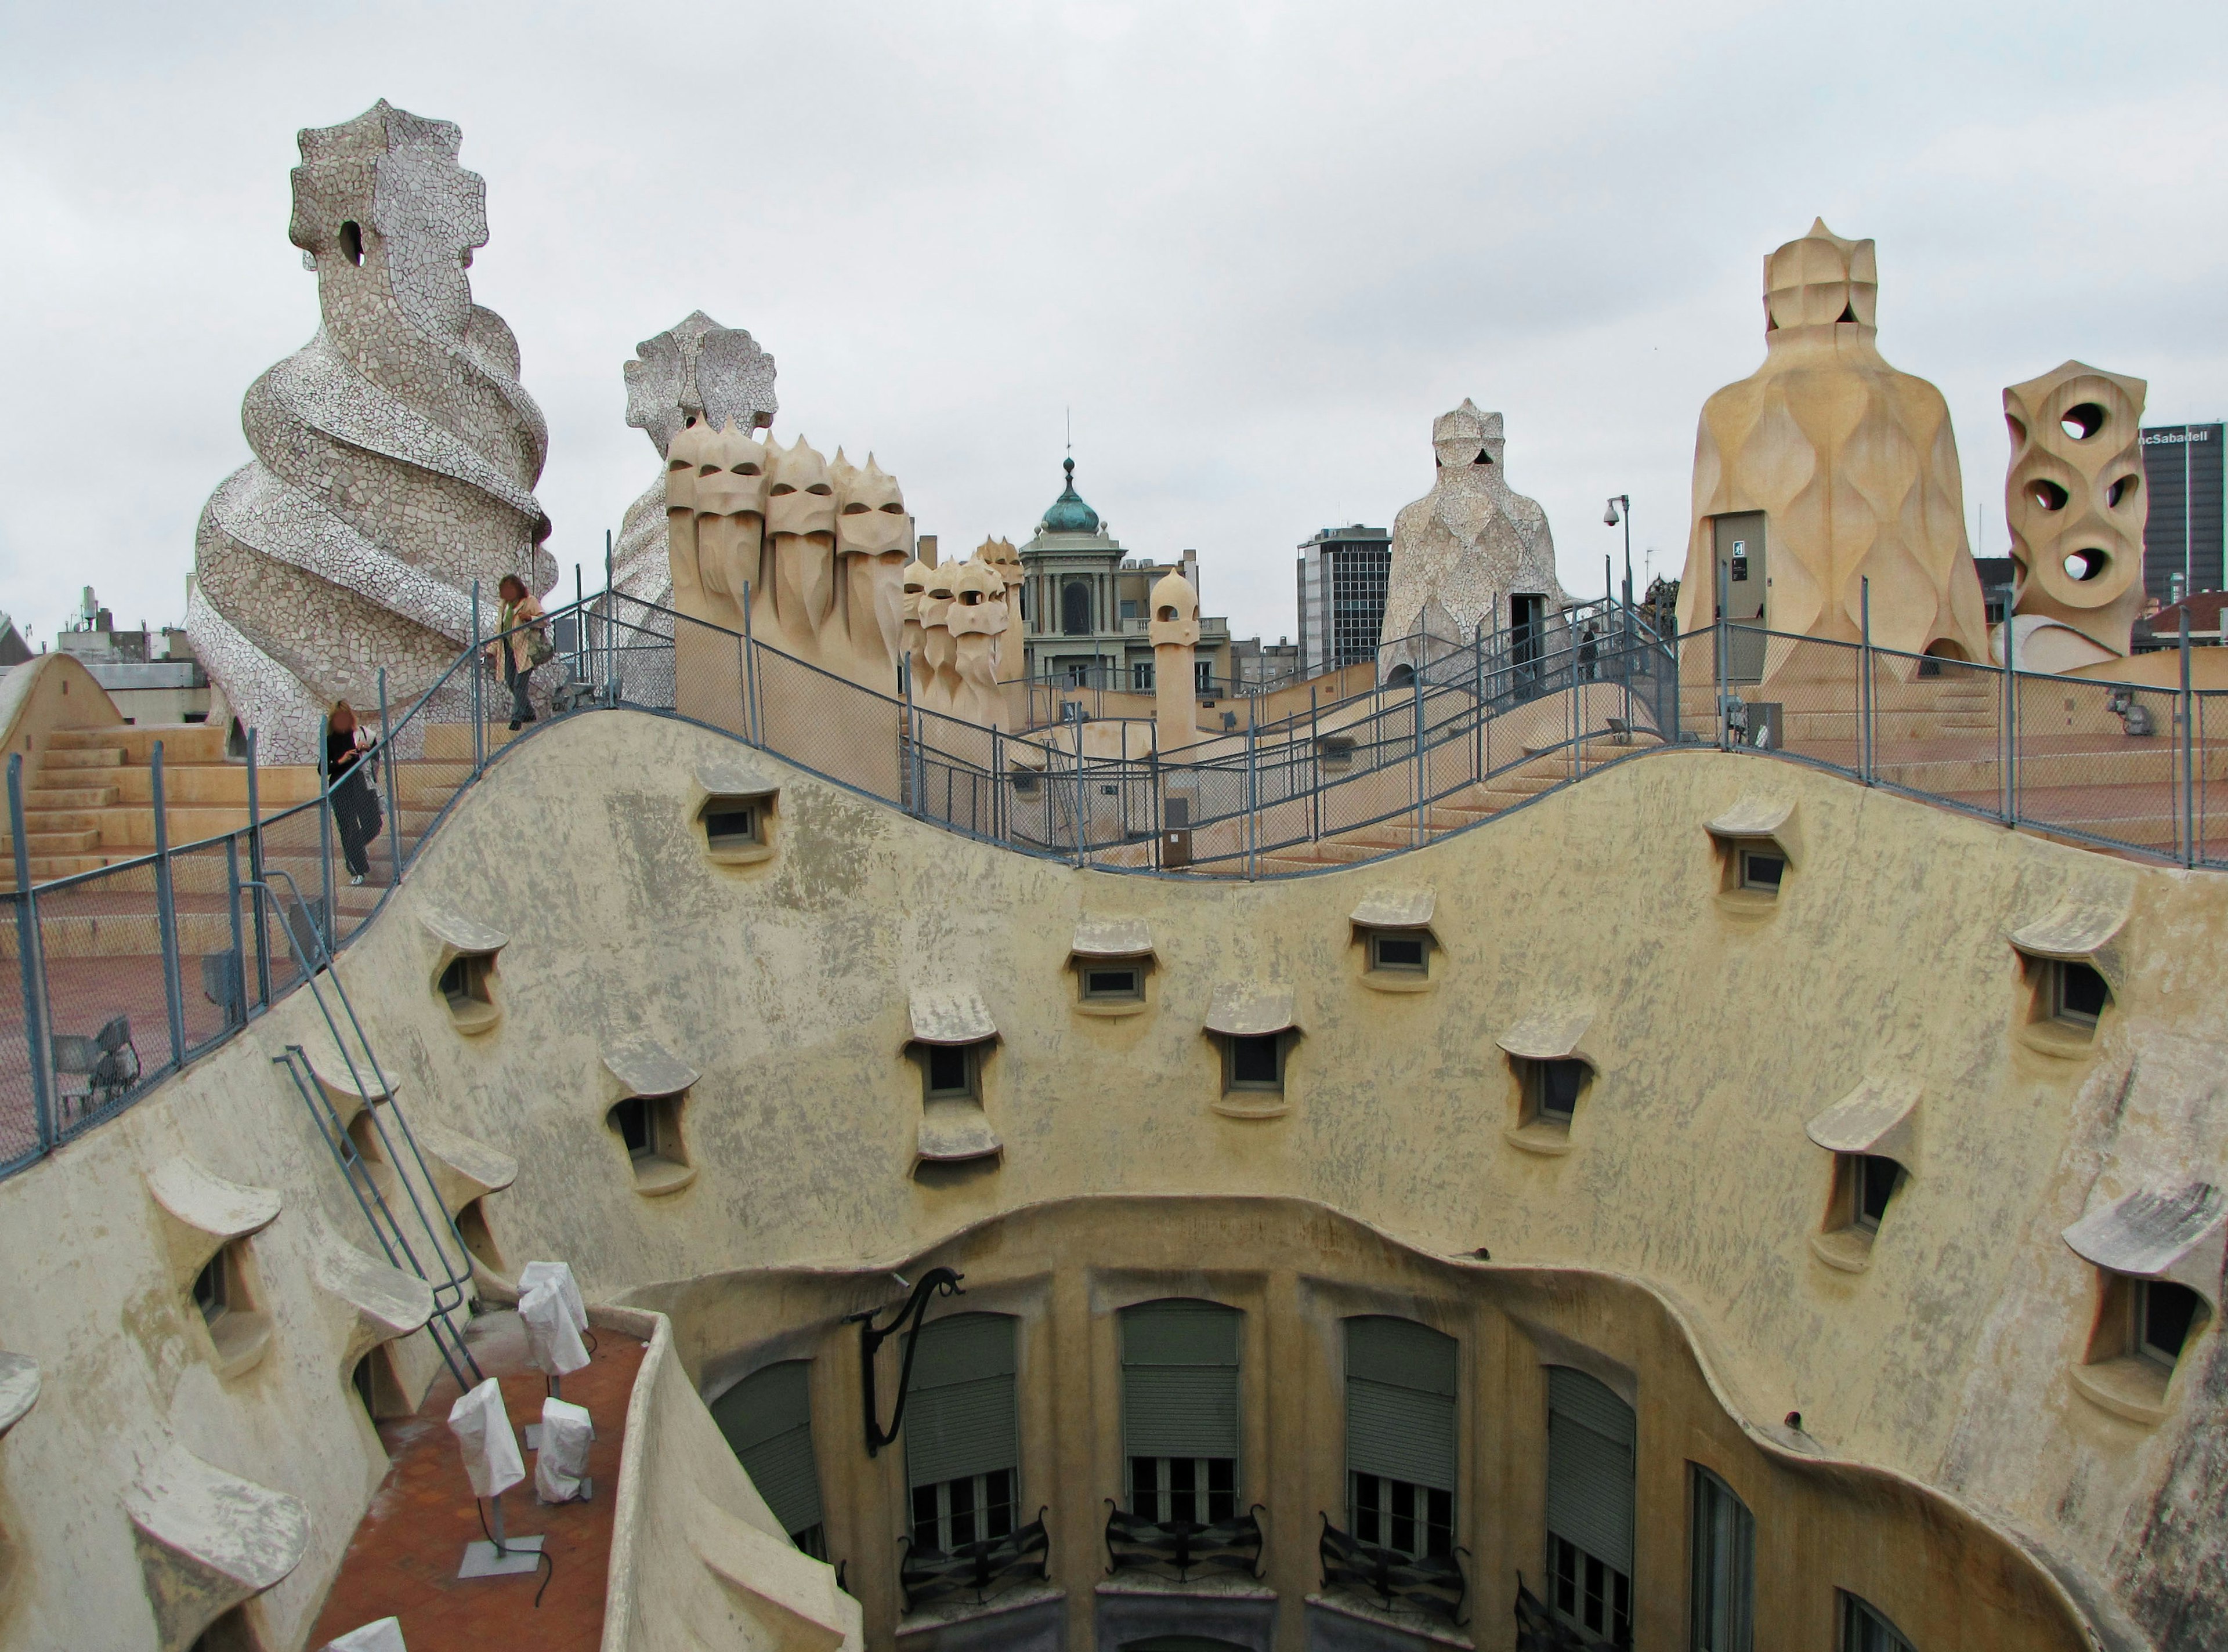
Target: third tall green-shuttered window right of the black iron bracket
(1400,1435)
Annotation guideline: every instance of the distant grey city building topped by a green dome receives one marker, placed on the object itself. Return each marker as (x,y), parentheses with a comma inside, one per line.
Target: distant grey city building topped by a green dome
(1084,604)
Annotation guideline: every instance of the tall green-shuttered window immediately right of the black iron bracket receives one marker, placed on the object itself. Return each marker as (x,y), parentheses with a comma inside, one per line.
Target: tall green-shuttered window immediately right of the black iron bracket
(961,1435)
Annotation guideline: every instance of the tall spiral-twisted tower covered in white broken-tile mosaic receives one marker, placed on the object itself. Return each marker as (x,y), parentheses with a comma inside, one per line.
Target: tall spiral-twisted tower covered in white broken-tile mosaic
(395,453)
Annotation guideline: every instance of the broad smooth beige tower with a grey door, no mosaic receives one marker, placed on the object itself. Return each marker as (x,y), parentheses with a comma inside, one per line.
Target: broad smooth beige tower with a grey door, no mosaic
(1821,471)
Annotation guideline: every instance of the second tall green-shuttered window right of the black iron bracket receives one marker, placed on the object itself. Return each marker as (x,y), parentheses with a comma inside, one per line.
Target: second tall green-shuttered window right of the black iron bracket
(1180,1406)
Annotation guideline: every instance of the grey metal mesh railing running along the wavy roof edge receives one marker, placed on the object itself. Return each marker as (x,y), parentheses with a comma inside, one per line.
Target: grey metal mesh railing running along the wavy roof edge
(1329,780)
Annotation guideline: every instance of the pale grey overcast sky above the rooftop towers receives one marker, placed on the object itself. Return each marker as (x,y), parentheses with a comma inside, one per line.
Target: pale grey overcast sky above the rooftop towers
(1255,248)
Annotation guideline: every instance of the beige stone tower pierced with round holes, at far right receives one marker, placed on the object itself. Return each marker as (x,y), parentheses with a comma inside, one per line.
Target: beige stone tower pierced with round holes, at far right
(2075,504)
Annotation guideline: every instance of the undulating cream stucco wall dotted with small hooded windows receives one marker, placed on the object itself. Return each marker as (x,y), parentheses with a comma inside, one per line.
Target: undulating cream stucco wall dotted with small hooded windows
(785,983)
